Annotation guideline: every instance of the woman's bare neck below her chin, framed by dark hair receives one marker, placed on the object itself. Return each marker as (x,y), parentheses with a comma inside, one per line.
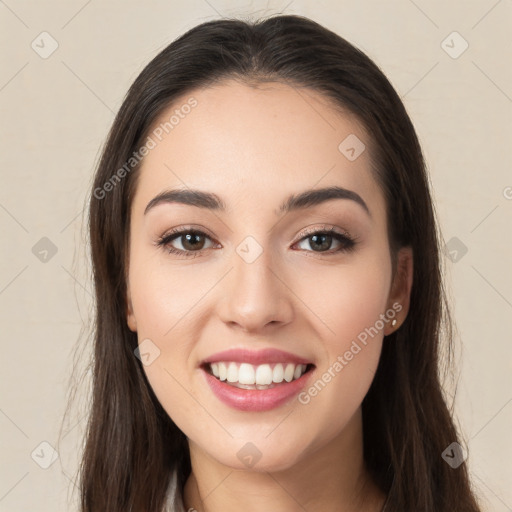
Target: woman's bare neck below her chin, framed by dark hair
(329,478)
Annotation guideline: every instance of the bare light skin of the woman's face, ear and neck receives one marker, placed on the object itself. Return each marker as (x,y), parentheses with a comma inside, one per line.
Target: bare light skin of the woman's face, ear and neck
(254,147)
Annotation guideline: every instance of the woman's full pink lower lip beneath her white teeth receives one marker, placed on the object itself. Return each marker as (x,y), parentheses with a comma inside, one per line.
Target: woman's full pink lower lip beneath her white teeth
(255,399)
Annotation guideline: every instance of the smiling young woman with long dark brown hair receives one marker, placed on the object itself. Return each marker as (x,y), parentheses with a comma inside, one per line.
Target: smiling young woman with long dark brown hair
(268,290)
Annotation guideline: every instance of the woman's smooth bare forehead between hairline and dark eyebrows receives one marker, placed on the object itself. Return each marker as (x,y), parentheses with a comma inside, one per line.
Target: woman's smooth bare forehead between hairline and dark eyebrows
(255,145)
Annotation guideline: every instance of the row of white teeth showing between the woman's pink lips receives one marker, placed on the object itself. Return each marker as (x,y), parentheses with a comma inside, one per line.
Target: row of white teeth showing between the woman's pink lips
(260,377)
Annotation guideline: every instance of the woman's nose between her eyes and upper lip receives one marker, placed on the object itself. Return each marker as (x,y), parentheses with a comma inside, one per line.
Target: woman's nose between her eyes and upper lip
(255,295)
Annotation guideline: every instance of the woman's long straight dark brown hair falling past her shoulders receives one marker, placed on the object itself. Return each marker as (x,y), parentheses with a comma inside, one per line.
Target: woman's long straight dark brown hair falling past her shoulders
(132,446)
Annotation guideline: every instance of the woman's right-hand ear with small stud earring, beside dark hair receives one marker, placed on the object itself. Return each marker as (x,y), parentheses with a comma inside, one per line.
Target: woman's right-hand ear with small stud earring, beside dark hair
(400,293)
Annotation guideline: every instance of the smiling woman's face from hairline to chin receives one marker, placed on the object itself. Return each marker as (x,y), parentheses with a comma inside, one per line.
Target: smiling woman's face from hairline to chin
(257,281)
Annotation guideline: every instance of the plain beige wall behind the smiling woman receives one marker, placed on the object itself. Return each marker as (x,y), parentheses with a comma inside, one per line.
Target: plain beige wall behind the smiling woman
(55,114)
